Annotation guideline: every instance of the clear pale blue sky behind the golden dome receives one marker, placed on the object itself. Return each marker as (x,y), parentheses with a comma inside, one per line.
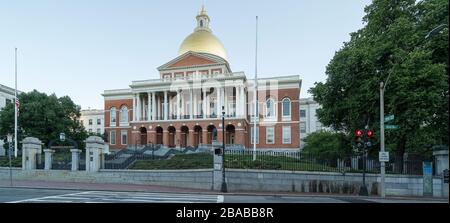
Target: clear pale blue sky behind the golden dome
(80,48)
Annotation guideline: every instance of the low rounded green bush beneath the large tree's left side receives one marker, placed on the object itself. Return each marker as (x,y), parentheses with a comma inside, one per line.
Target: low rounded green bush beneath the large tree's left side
(327,145)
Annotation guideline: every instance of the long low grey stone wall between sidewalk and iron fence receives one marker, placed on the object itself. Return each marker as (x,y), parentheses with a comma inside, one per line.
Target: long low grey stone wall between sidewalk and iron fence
(242,180)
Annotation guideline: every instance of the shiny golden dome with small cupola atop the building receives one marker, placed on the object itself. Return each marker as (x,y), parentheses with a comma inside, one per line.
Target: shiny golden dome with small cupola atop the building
(202,40)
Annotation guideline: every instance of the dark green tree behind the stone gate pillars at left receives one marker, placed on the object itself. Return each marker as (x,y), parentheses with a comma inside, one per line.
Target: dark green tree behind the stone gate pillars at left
(45,117)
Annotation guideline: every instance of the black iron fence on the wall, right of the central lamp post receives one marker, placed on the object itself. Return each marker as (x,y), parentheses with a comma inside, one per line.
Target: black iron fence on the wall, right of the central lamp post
(301,161)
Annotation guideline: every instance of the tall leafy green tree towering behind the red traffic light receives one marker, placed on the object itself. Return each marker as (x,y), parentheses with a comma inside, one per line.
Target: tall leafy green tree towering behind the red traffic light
(392,42)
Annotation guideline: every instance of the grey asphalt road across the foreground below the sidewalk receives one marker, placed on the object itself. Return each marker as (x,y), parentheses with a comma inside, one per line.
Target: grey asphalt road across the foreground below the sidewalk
(29,195)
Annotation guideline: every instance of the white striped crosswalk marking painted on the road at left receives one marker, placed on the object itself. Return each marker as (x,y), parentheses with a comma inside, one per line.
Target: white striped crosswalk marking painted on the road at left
(116,197)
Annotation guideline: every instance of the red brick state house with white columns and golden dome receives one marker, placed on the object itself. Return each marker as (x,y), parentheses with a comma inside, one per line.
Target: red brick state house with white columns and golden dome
(184,106)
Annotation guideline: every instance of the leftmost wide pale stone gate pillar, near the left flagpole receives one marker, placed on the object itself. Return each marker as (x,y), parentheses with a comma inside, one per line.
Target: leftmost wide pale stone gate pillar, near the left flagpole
(30,147)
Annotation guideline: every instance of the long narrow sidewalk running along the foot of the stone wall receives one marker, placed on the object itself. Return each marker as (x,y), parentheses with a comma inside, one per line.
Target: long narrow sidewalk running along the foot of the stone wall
(33,184)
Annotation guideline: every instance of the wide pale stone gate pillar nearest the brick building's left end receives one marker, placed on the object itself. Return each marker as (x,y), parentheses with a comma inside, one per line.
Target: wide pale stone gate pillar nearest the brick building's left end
(94,153)
